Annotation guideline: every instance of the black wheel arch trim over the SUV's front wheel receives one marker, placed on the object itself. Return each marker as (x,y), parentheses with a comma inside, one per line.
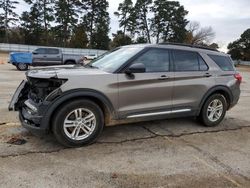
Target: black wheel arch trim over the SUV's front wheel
(99,98)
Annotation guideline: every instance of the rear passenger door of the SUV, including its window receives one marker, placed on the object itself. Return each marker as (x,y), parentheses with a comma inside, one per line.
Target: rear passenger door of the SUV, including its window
(192,80)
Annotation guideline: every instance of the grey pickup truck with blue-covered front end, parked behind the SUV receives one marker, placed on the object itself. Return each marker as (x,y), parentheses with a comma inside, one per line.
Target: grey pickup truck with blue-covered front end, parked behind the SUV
(43,57)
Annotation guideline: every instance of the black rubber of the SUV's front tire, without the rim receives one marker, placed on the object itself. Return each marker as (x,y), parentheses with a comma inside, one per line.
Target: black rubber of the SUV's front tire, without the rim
(61,115)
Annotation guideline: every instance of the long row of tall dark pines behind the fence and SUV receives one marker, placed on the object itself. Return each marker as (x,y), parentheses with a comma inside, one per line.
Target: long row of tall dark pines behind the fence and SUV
(86,24)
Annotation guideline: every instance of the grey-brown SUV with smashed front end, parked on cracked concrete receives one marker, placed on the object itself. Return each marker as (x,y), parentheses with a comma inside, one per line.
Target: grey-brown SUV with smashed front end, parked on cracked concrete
(128,84)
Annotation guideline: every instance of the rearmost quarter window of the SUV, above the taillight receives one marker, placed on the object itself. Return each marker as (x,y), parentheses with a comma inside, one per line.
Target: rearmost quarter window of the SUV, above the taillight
(223,62)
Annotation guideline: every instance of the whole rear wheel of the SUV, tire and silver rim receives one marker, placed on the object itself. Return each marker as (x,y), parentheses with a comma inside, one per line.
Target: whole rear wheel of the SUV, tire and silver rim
(211,116)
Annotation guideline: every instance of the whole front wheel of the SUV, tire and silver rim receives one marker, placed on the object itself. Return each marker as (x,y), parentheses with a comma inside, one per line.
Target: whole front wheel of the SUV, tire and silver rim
(65,132)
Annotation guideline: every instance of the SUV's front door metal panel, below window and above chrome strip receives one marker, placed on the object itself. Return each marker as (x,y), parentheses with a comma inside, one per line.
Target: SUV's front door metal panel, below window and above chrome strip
(146,92)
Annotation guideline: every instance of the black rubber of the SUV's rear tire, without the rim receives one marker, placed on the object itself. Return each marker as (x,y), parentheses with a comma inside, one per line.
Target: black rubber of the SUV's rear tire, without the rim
(204,116)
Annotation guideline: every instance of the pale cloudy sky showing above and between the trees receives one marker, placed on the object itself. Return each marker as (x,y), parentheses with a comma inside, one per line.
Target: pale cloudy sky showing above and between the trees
(228,18)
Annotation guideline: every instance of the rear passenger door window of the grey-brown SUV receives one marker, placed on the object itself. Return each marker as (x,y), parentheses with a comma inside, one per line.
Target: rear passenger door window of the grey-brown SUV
(188,61)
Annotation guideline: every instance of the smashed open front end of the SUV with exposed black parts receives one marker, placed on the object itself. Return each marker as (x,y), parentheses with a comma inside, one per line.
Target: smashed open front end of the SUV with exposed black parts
(32,99)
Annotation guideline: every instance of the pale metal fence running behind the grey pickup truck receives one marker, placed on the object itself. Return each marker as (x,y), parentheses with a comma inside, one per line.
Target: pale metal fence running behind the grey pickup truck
(29,48)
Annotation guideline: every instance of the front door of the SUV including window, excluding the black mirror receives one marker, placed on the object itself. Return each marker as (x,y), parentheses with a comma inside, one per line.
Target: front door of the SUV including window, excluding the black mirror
(149,93)
